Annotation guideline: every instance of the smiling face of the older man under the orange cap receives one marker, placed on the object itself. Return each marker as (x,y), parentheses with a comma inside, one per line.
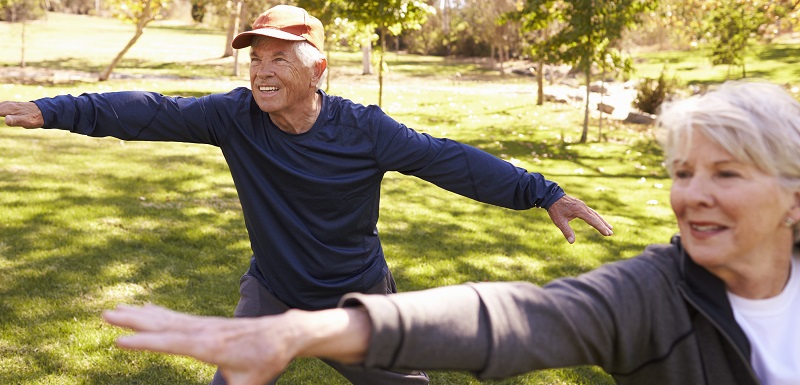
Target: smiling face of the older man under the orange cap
(280,82)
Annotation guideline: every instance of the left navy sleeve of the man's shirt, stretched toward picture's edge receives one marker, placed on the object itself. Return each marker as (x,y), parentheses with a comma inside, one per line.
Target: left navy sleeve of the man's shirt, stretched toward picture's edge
(145,116)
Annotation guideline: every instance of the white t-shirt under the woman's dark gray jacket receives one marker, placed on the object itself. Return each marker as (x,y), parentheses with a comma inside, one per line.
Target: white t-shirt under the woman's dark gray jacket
(773,327)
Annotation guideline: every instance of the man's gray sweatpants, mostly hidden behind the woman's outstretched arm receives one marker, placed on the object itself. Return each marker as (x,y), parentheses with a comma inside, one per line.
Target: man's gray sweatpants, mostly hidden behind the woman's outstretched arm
(255,300)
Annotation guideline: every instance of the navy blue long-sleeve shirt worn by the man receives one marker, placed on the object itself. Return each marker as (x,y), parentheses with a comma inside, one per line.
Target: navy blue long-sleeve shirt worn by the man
(310,201)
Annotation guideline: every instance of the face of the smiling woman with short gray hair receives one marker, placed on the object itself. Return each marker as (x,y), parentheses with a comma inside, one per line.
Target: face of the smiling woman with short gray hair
(730,214)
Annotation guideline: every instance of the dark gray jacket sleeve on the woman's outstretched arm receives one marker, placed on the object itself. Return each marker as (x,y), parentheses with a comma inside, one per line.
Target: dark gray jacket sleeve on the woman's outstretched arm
(607,317)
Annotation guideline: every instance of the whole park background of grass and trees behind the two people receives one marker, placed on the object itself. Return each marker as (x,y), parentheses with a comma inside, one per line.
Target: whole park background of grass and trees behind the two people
(87,223)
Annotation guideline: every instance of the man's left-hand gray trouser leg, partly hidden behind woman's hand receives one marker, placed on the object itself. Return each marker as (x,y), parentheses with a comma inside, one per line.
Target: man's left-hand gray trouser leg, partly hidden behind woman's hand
(254,301)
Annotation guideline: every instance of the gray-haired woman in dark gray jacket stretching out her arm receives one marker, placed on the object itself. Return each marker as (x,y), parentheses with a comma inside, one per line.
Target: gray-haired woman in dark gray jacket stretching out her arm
(718,305)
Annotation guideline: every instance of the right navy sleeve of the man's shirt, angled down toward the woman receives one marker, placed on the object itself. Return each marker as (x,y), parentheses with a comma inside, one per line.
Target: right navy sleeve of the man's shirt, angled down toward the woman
(461,168)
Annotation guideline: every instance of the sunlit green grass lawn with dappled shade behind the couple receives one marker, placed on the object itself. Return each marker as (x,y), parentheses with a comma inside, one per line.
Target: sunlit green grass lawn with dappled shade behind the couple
(90,223)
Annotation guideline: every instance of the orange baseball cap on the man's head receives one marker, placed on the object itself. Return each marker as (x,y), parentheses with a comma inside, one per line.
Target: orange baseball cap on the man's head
(284,22)
